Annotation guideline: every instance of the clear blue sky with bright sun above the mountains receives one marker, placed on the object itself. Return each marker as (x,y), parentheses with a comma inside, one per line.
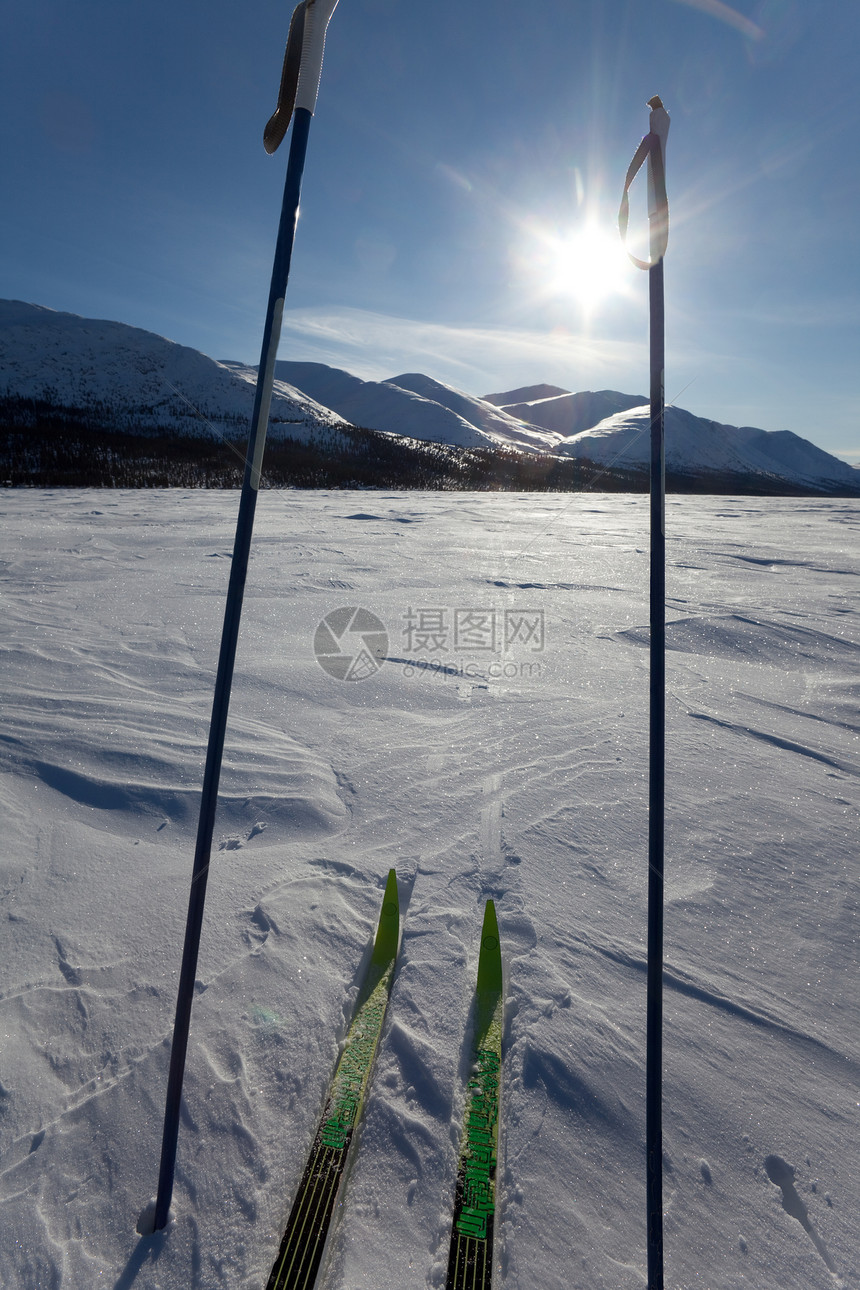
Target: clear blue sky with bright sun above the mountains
(461,193)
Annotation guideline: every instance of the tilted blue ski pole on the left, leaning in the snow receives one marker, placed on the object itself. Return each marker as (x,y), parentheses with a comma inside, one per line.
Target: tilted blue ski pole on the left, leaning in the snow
(297,100)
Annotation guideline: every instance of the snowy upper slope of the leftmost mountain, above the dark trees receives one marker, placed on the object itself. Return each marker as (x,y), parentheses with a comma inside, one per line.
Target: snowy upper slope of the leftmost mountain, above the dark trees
(135,380)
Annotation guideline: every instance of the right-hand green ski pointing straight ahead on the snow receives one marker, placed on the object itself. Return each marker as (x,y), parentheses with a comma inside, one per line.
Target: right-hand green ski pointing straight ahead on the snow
(470,1265)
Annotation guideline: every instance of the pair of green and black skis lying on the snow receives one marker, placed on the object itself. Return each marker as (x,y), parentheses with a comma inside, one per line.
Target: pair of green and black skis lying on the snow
(308,1229)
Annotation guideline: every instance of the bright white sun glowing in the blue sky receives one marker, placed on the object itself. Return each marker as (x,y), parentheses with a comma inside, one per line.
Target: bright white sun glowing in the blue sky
(586,265)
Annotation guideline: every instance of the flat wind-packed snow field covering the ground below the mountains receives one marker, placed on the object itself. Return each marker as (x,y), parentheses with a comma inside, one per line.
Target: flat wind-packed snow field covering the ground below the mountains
(498,751)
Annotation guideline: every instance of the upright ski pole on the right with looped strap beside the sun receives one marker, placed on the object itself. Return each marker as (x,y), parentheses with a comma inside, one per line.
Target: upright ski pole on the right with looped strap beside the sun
(653,148)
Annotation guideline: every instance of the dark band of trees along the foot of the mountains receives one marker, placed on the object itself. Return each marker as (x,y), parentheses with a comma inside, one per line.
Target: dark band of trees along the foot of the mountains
(46,446)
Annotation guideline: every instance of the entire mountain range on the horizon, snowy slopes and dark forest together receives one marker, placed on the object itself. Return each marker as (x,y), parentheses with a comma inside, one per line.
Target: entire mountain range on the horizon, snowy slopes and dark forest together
(91,402)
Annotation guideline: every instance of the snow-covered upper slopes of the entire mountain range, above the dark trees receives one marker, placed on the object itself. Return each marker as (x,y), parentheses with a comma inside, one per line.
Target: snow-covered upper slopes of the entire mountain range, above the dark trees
(123,379)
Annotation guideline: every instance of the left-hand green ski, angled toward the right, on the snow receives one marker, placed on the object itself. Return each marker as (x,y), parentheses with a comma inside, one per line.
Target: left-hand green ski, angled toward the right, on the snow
(308,1229)
